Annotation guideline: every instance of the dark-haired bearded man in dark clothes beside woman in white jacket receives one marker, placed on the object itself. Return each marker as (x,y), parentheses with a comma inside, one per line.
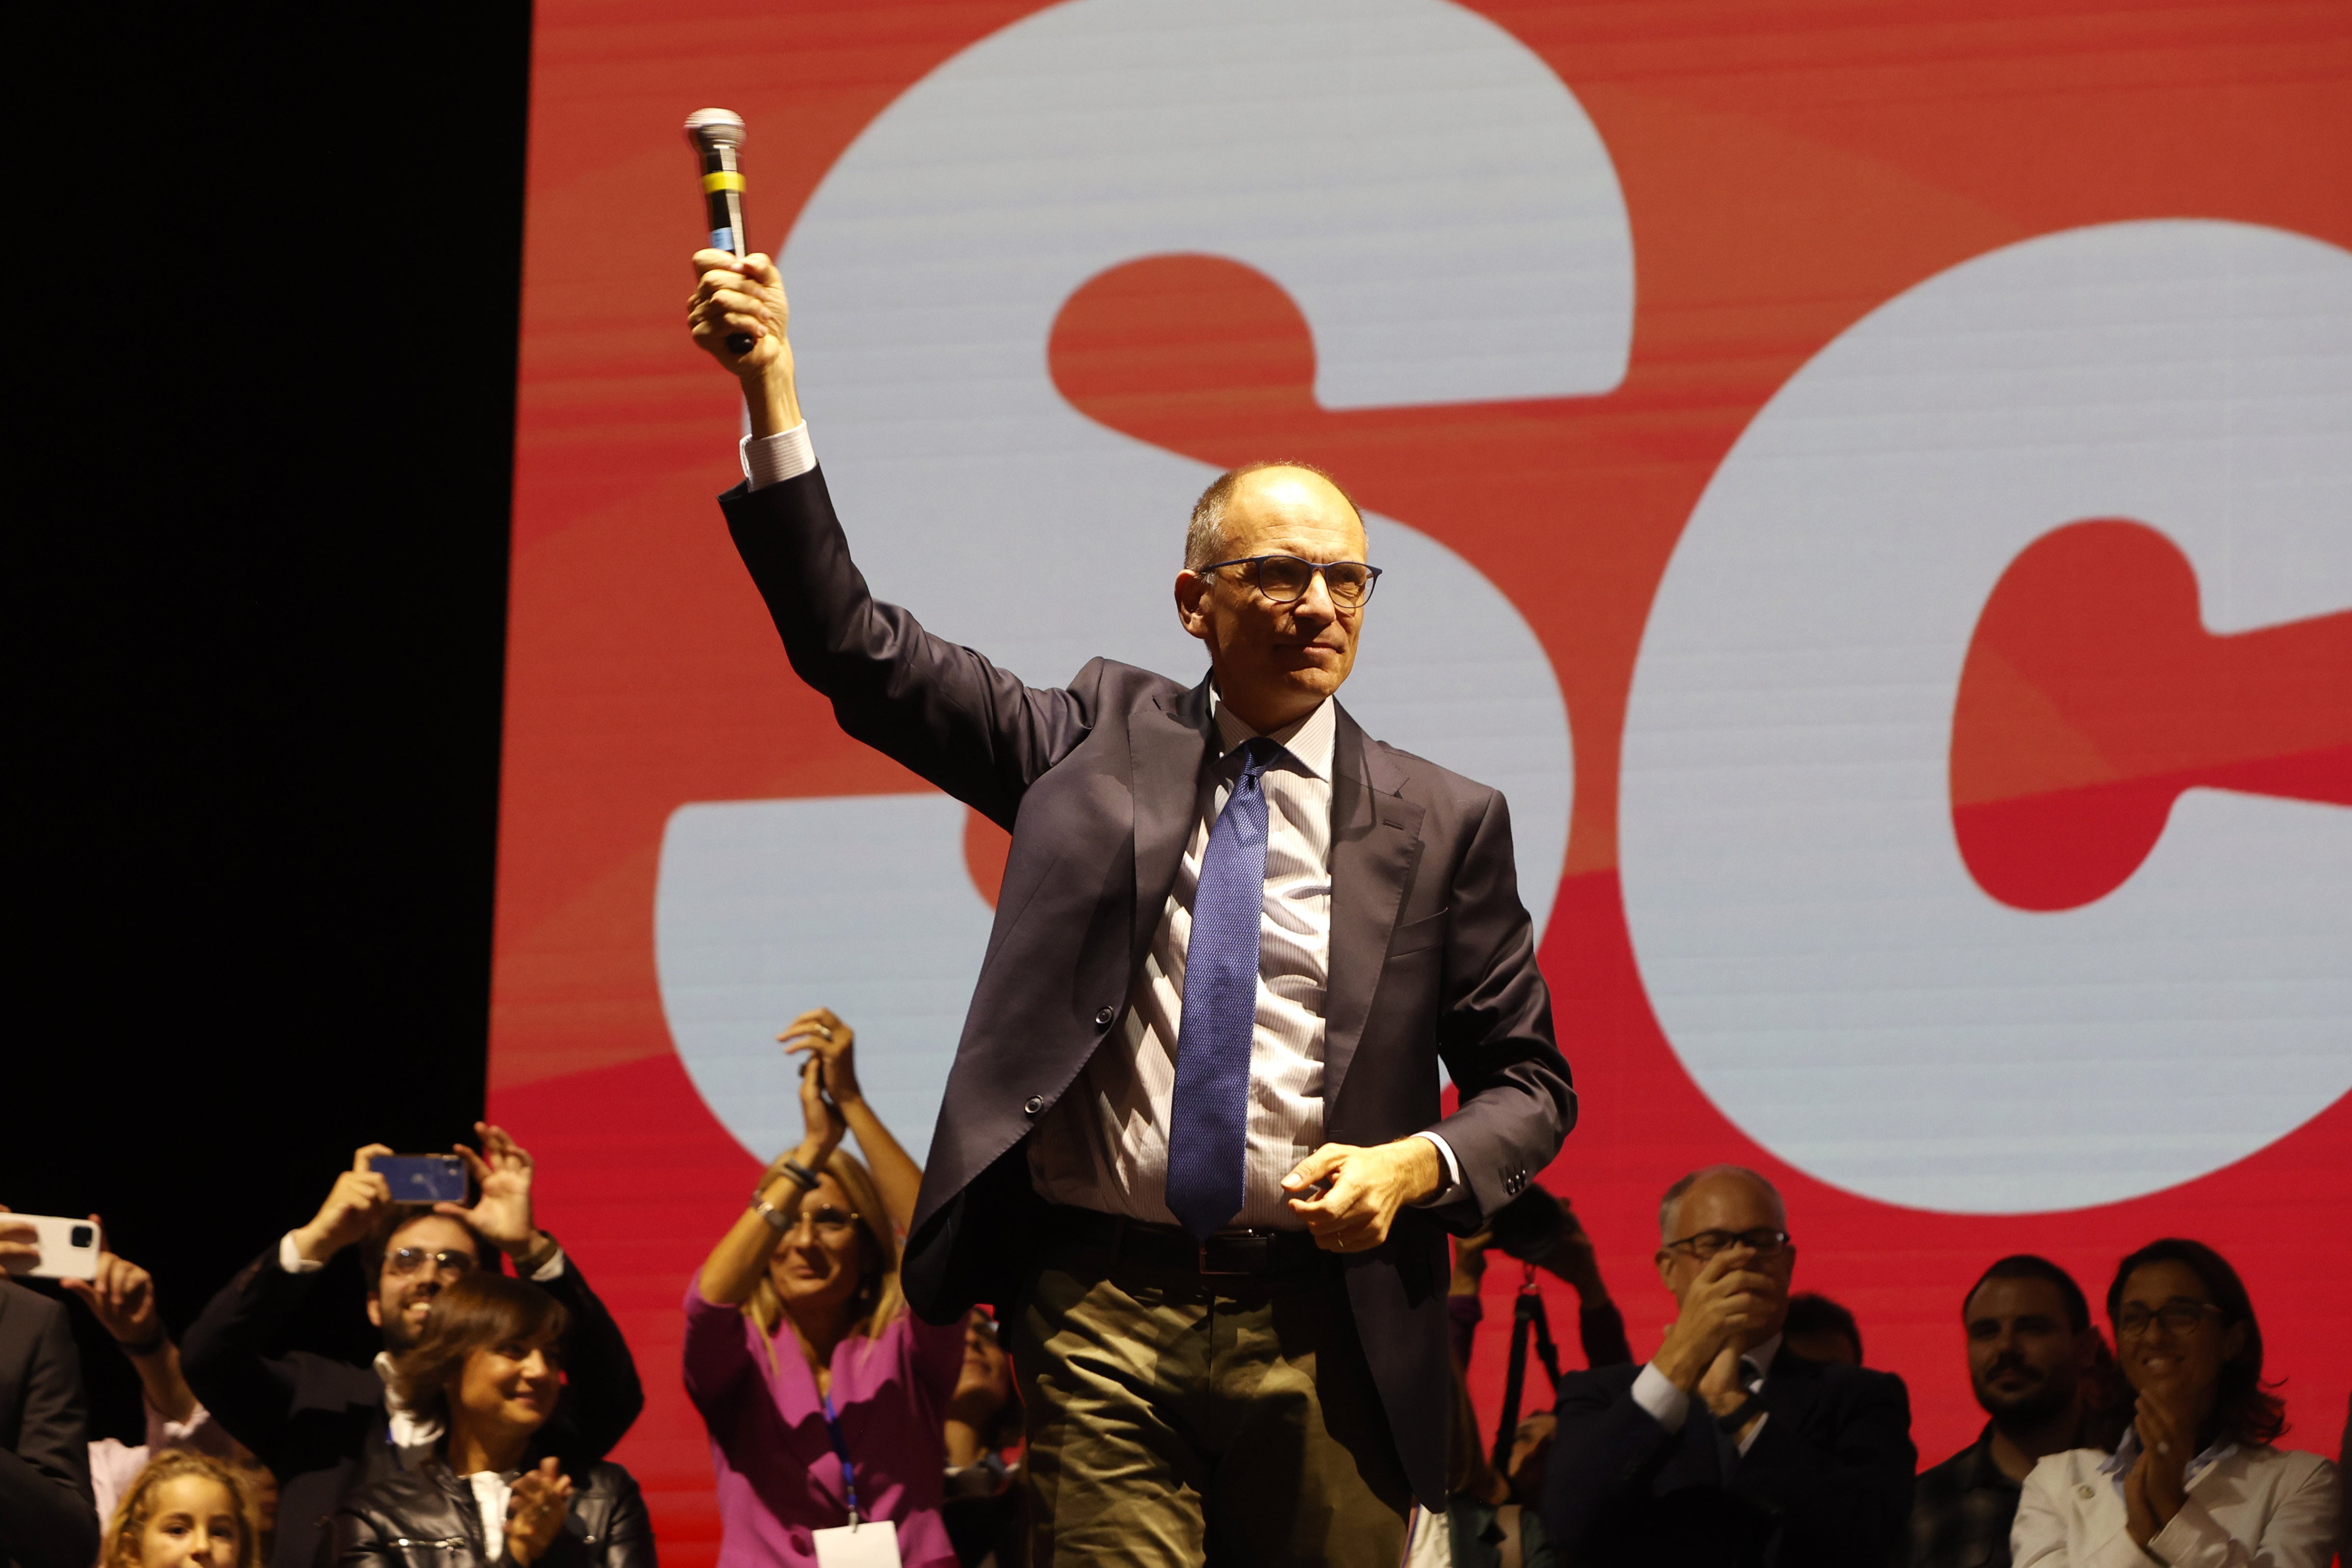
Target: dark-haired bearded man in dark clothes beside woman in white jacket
(2033,1362)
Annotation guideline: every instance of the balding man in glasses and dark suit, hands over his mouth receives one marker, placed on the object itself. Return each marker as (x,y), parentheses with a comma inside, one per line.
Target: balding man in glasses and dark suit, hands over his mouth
(1730,1449)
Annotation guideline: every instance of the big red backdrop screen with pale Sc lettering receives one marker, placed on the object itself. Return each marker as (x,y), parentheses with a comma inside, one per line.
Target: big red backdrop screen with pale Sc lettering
(1871,483)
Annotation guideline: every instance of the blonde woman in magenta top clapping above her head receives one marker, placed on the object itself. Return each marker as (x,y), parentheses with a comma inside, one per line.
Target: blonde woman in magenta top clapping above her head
(824,1398)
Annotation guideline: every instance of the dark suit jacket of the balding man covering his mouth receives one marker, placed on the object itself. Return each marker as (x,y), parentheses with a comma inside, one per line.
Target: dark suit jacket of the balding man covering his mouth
(1826,1482)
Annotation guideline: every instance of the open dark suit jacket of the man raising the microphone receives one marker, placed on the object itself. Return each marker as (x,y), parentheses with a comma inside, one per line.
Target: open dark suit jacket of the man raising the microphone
(1431,949)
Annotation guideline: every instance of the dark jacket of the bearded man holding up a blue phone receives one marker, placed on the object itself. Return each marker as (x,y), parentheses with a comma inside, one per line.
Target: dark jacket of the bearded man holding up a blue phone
(321,1423)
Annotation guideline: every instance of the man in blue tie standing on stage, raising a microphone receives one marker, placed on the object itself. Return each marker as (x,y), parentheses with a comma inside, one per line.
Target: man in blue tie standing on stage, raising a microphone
(1191,1144)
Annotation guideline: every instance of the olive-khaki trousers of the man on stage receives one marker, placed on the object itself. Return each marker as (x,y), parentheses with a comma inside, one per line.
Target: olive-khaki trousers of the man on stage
(1180,1419)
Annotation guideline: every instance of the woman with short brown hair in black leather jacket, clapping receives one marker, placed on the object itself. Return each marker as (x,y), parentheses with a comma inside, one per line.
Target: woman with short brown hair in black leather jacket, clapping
(497,1487)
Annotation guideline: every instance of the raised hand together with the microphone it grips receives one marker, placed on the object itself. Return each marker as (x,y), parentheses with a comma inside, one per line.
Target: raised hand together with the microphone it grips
(737,309)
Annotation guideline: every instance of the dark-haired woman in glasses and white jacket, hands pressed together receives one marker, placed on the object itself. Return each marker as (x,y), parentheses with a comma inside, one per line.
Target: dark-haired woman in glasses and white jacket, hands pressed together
(2196,1477)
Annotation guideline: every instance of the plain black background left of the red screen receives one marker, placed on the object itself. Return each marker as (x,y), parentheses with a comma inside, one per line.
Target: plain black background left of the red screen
(267,356)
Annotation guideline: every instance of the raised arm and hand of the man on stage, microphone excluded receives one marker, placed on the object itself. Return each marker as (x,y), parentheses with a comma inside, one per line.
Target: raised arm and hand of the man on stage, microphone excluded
(935,706)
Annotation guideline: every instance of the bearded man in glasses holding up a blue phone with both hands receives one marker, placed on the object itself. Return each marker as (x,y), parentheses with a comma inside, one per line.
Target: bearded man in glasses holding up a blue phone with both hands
(328,1428)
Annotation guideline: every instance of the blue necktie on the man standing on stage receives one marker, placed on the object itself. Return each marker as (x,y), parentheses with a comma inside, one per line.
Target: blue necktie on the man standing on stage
(1210,1108)
